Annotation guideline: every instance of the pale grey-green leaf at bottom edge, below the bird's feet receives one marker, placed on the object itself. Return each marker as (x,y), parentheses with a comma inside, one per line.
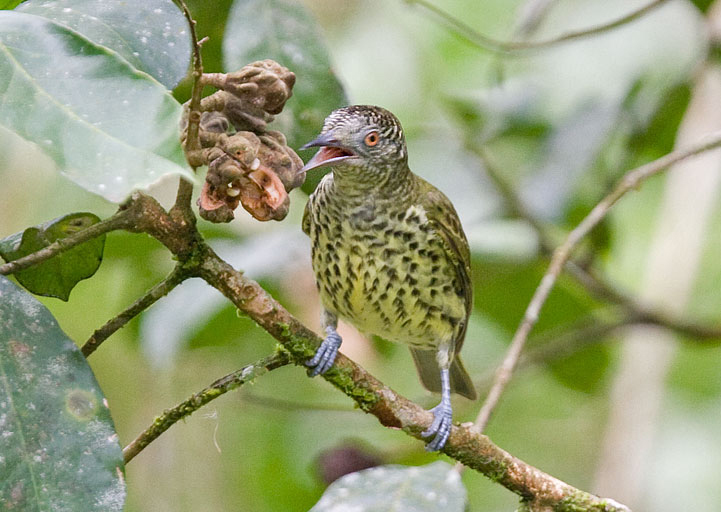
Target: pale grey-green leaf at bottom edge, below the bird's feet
(418,488)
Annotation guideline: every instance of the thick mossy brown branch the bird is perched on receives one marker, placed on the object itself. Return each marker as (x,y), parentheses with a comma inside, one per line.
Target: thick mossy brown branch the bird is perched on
(465,444)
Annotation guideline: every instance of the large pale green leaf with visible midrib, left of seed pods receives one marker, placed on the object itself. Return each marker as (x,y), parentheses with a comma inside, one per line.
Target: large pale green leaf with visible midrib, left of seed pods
(107,126)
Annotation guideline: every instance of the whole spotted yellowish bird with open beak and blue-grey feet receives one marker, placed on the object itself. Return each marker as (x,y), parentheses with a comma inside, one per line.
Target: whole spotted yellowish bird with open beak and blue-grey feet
(389,254)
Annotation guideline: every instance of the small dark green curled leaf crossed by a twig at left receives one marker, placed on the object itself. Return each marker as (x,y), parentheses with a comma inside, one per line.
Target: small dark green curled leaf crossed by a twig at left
(56,276)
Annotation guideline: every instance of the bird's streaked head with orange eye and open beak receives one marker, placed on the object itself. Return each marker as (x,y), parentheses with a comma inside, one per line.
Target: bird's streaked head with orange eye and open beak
(361,138)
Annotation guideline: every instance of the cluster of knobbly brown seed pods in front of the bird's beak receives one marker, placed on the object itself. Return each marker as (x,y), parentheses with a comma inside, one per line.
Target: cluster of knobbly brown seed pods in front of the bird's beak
(252,167)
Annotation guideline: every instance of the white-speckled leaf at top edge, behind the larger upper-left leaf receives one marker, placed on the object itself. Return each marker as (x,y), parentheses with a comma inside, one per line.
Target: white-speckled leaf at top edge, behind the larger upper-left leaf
(152,36)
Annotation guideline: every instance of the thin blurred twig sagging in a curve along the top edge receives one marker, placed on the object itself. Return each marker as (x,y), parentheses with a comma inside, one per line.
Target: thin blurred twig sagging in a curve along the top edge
(494,45)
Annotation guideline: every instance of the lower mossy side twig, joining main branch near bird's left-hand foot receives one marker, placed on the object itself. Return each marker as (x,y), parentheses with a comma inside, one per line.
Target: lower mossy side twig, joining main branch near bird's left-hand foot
(198,400)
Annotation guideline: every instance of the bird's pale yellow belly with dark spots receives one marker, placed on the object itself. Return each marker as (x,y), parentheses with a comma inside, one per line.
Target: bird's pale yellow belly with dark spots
(392,283)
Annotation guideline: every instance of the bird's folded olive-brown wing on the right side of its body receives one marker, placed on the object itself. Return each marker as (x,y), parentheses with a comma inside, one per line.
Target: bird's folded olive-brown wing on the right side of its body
(443,217)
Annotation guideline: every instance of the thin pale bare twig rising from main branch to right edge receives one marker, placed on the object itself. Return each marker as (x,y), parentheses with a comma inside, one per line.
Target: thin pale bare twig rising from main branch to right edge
(561,255)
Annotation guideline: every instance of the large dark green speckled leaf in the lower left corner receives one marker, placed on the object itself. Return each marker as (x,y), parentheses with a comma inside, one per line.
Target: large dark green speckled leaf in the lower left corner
(58,446)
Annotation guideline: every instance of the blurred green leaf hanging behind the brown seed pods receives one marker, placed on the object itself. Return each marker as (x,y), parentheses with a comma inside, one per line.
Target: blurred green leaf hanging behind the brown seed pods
(286,32)
